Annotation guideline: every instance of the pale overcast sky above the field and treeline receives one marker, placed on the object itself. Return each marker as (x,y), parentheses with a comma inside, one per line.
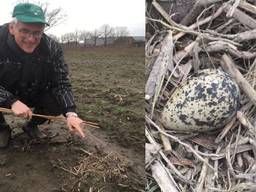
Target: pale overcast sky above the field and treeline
(90,14)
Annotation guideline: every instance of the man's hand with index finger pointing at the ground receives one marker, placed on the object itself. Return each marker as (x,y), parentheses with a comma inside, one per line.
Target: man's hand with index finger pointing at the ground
(74,125)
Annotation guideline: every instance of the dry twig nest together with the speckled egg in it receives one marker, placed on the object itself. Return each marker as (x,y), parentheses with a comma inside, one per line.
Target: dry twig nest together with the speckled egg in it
(211,35)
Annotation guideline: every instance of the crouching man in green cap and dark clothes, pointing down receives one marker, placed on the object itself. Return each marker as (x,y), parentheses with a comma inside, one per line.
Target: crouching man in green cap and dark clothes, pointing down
(33,74)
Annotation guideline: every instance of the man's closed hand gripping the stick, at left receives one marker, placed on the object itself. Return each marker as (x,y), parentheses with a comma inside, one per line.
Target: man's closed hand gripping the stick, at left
(21,110)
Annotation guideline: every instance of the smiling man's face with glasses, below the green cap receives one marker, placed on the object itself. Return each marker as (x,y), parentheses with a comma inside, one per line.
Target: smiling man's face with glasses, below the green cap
(27,36)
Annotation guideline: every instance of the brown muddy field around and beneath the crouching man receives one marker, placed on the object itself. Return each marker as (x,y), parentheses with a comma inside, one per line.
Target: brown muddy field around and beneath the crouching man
(108,84)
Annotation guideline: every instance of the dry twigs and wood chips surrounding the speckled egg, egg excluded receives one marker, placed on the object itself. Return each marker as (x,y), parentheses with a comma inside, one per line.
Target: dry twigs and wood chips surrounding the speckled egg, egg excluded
(212,34)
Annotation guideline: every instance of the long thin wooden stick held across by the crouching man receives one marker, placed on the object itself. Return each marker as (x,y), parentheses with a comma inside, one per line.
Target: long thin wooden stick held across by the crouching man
(56,118)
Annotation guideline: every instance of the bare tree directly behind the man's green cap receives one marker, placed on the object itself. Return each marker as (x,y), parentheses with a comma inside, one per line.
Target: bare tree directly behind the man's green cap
(54,16)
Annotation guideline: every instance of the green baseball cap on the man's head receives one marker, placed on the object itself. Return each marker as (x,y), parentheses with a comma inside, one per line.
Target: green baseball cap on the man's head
(29,13)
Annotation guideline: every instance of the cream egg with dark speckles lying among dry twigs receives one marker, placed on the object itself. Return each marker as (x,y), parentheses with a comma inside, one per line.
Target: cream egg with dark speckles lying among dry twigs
(206,101)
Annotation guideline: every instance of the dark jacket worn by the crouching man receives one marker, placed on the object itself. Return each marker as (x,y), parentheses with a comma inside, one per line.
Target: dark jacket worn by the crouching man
(27,76)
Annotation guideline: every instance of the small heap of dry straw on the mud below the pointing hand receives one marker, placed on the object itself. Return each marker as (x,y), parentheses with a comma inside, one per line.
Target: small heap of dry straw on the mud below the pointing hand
(100,167)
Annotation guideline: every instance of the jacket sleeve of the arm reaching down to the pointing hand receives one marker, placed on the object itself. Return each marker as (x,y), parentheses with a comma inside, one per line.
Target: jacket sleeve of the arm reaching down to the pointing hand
(61,87)
